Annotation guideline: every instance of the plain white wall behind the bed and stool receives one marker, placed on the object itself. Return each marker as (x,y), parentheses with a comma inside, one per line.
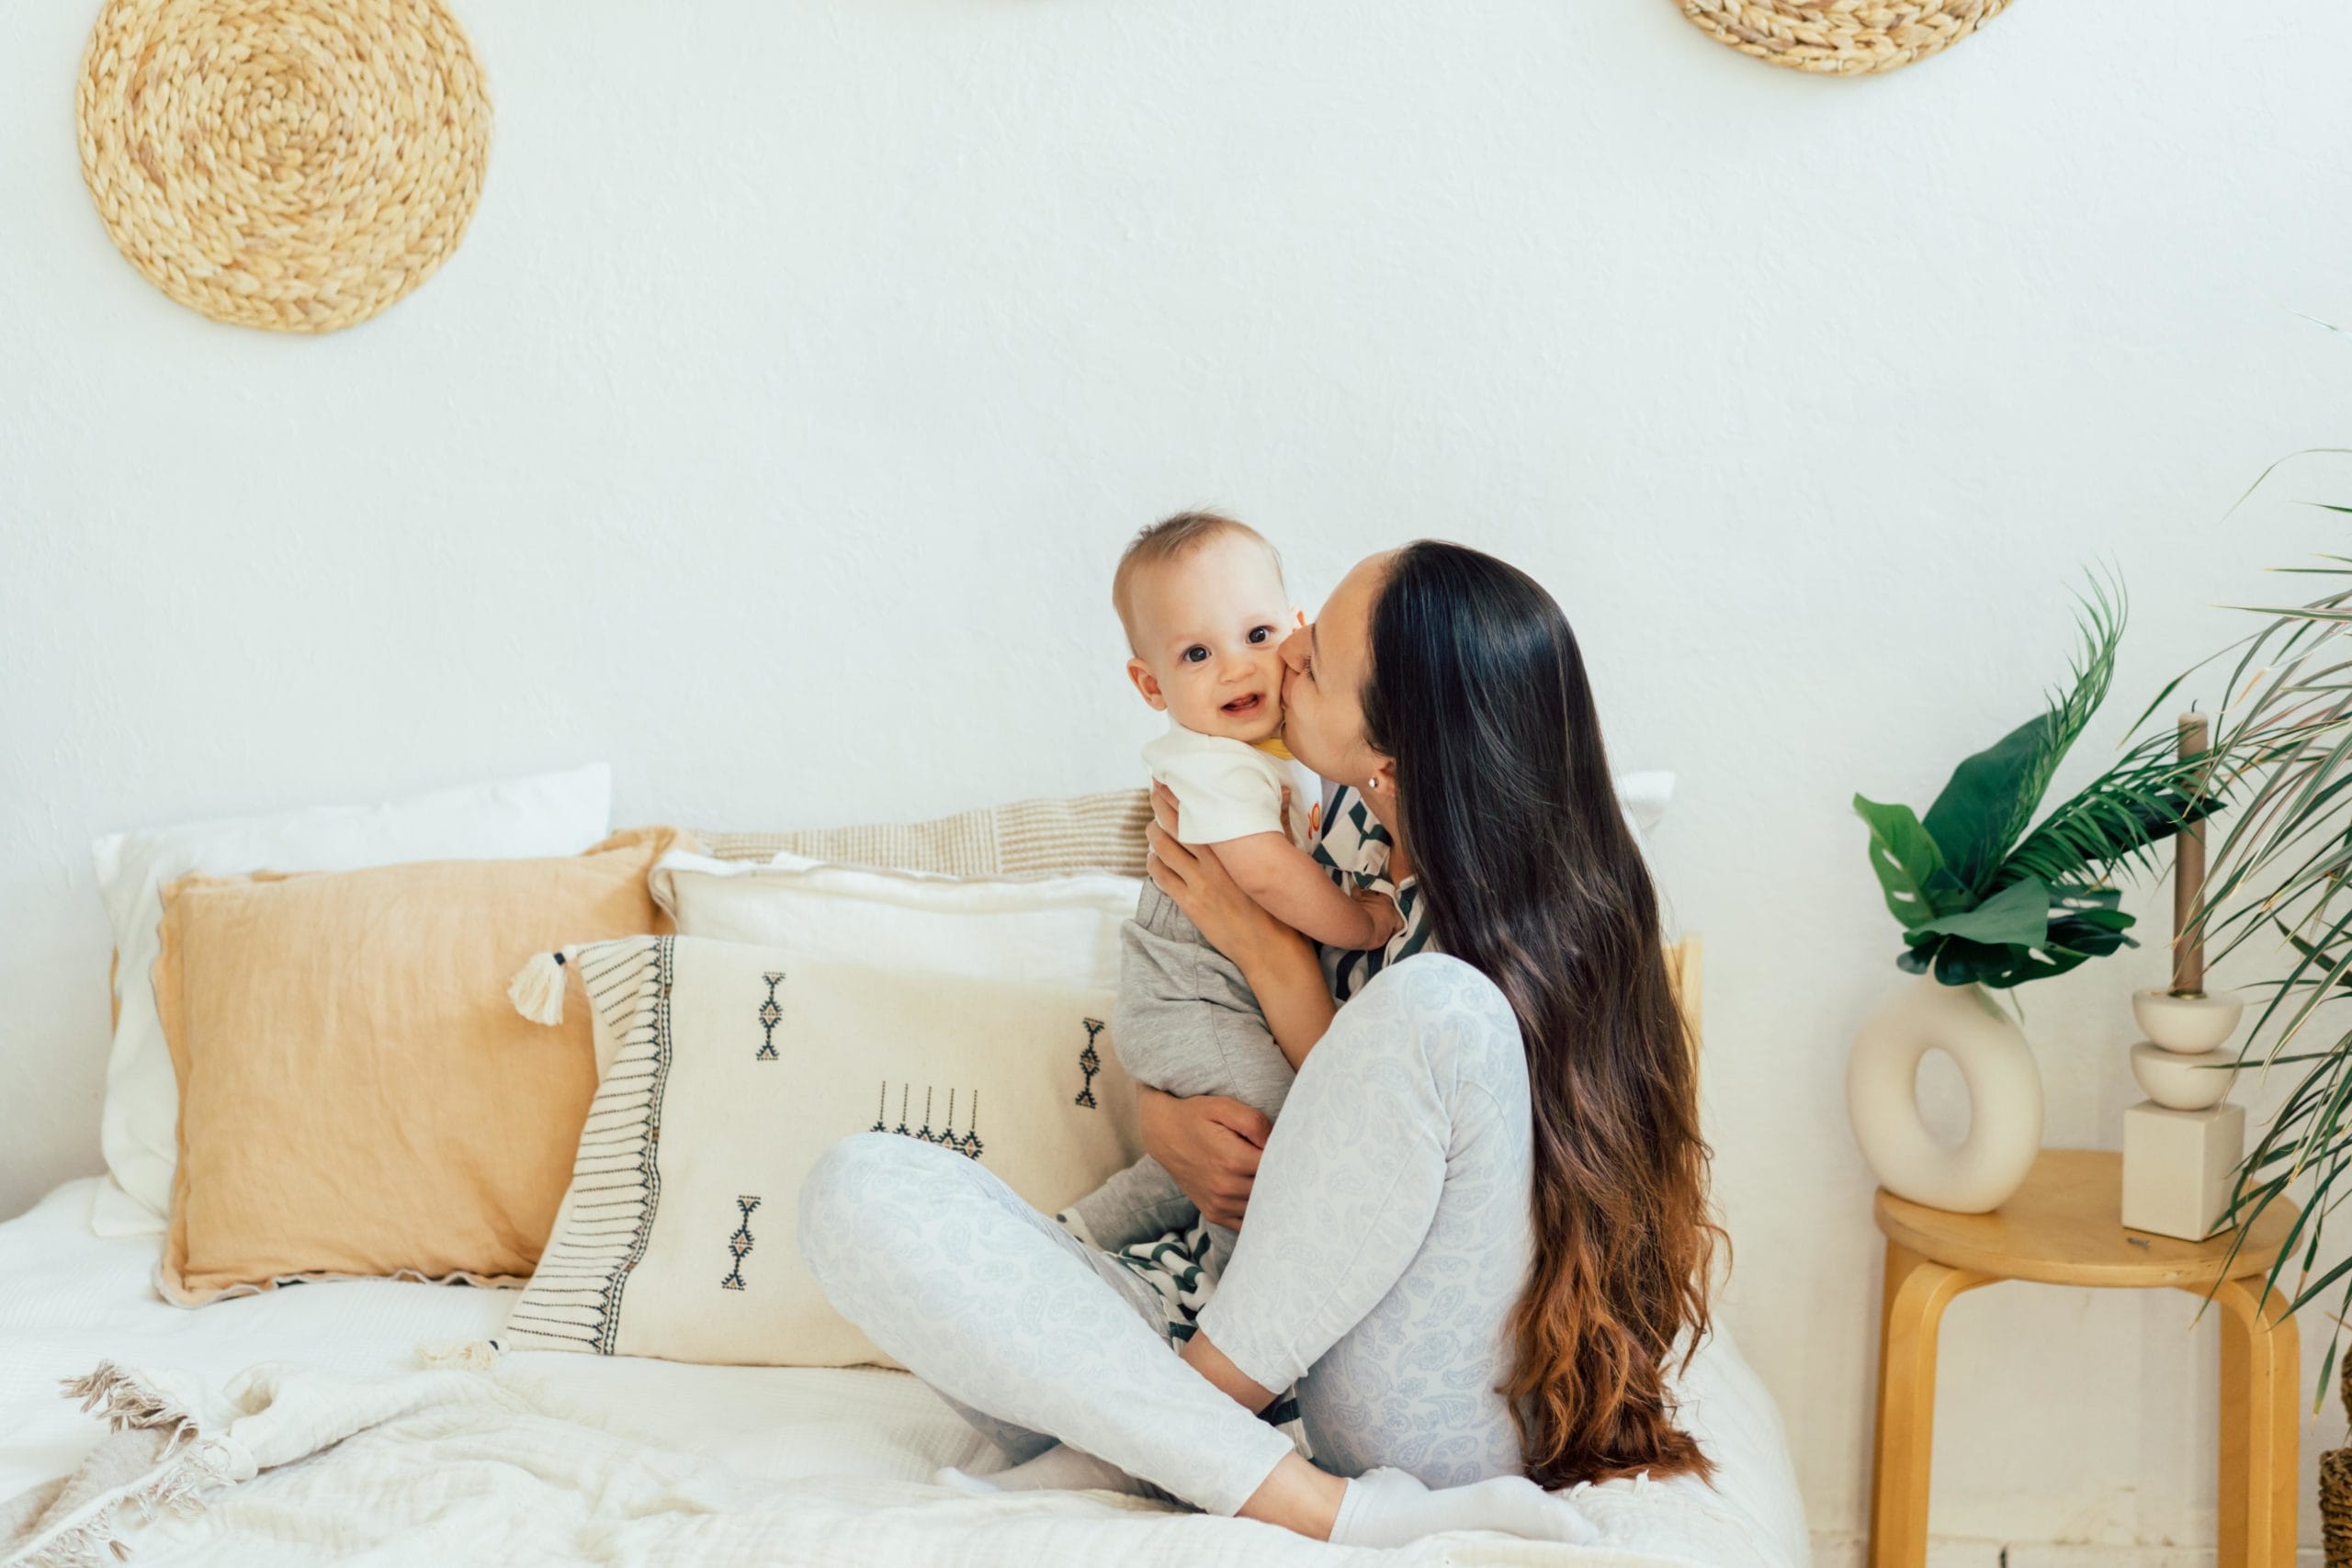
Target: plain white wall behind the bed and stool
(777,424)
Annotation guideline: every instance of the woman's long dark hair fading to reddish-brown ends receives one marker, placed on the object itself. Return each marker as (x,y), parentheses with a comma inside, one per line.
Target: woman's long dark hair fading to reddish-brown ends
(1532,878)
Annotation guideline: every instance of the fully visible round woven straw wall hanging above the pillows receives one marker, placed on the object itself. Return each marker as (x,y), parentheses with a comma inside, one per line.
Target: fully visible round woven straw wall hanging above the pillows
(283,163)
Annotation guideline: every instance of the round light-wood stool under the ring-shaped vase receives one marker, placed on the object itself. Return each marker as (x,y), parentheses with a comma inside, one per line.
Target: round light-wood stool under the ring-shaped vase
(2062,1228)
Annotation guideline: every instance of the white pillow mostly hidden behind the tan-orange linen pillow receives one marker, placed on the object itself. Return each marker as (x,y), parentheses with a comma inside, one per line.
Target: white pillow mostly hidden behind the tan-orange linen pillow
(547,815)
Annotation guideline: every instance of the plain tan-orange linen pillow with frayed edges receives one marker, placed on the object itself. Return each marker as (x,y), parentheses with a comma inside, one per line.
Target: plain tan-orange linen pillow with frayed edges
(359,1097)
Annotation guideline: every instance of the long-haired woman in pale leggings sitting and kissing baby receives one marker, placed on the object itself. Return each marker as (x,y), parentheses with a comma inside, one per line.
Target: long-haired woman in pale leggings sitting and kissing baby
(1481,1226)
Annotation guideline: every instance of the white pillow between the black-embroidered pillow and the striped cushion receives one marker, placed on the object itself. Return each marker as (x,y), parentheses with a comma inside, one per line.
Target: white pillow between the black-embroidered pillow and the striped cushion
(1036,930)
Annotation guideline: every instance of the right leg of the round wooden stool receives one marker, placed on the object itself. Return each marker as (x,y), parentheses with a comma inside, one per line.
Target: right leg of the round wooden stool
(2259,1445)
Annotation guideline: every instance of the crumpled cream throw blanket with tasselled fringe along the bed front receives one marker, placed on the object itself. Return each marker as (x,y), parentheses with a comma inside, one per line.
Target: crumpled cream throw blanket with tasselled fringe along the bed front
(300,1466)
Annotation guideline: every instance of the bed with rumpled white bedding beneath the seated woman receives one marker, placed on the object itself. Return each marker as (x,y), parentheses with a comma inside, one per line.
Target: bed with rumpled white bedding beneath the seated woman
(620,1461)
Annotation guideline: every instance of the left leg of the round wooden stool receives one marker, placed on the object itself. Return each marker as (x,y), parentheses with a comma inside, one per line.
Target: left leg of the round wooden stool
(1909,1315)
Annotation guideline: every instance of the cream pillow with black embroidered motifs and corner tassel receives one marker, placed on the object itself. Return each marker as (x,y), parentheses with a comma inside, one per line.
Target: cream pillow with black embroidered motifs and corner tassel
(730,1071)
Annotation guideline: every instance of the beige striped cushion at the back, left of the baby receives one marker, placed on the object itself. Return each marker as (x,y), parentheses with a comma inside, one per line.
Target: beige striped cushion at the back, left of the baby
(1029,838)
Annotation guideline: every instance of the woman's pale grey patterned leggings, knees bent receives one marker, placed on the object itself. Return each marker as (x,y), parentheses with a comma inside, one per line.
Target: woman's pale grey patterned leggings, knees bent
(1387,1242)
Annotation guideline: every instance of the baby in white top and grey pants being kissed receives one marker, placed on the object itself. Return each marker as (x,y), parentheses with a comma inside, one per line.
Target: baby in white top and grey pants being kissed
(1205,617)
